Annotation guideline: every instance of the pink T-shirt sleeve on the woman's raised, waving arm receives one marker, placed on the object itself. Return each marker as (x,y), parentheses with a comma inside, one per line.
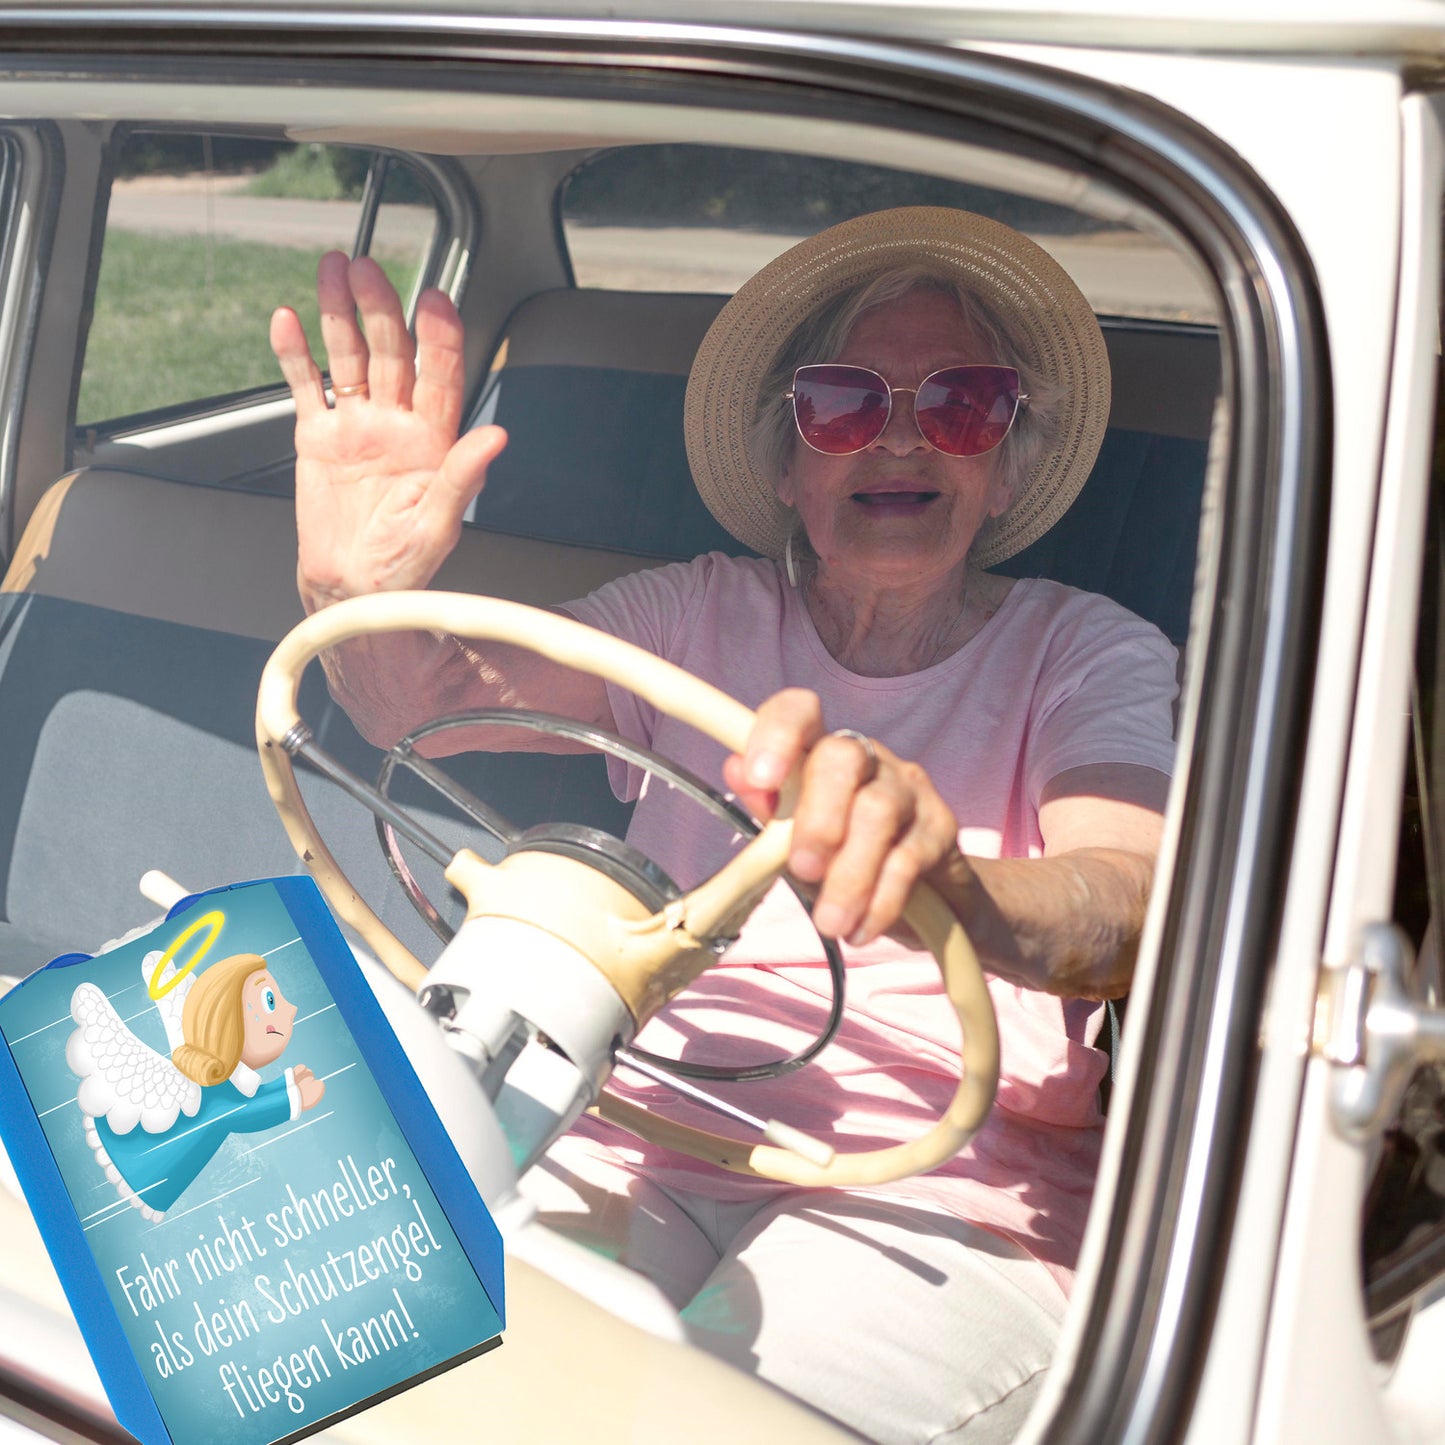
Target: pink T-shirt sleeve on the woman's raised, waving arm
(648,609)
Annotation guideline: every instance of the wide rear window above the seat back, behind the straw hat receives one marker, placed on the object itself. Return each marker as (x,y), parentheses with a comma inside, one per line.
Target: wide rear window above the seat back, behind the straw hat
(704,219)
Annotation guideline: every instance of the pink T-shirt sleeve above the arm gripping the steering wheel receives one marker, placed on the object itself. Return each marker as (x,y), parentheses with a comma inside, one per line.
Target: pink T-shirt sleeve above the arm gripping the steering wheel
(1106,697)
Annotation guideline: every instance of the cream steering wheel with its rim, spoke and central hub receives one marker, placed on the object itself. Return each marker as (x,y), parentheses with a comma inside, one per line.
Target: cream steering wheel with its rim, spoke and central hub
(647,957)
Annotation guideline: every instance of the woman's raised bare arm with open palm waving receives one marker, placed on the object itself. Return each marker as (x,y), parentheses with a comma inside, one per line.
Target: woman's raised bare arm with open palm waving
(382,486)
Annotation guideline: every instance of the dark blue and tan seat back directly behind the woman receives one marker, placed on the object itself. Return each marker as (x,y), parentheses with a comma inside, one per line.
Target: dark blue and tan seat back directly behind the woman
(590,388)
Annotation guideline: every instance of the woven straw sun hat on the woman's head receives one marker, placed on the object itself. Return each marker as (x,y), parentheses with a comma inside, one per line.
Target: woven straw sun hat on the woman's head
(1014,277)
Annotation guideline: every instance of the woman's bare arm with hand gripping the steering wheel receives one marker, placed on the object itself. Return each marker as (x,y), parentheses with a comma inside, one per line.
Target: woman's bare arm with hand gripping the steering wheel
(1067,924)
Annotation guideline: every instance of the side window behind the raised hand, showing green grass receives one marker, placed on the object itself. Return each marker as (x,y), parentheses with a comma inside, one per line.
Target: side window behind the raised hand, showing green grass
(206,236)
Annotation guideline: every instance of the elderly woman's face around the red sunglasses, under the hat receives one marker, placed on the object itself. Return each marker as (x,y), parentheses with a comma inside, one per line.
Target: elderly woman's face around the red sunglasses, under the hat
(900,512)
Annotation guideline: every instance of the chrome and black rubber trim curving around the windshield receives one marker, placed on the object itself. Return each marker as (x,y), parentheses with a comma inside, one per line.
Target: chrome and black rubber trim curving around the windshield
(1254,658)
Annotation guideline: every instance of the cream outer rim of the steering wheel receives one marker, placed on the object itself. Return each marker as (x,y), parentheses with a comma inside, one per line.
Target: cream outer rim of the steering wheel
(720,717)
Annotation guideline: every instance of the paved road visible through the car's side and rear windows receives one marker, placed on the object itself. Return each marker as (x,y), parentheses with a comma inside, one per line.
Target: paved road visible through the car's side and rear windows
(1119,272)
